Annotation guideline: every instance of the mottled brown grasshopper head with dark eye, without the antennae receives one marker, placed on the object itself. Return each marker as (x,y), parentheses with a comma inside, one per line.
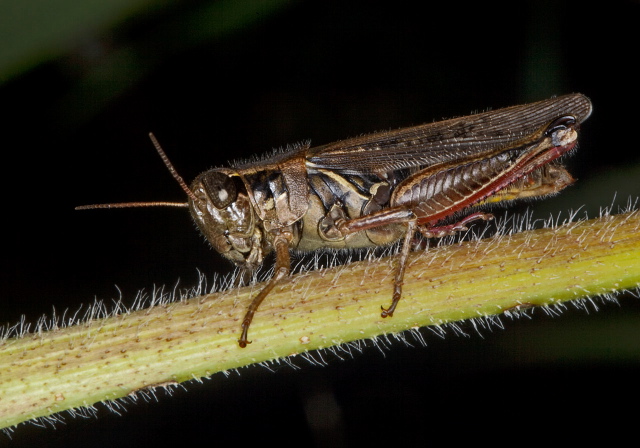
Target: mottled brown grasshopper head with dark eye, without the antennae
(223,212)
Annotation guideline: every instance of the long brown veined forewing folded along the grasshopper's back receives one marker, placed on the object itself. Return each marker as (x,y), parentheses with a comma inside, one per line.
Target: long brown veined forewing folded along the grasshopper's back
(462,138)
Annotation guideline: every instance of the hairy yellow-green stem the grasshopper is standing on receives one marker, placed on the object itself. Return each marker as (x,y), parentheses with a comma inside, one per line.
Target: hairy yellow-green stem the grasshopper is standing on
(46,372)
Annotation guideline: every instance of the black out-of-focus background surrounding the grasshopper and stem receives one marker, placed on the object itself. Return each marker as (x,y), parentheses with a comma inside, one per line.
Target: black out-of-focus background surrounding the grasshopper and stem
(319,70)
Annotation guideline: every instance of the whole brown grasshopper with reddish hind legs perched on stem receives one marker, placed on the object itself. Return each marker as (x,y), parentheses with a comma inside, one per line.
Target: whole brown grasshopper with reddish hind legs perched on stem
(376,189)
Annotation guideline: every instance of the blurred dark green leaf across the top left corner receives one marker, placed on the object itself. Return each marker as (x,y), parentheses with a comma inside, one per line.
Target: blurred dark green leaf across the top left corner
(36,31)
